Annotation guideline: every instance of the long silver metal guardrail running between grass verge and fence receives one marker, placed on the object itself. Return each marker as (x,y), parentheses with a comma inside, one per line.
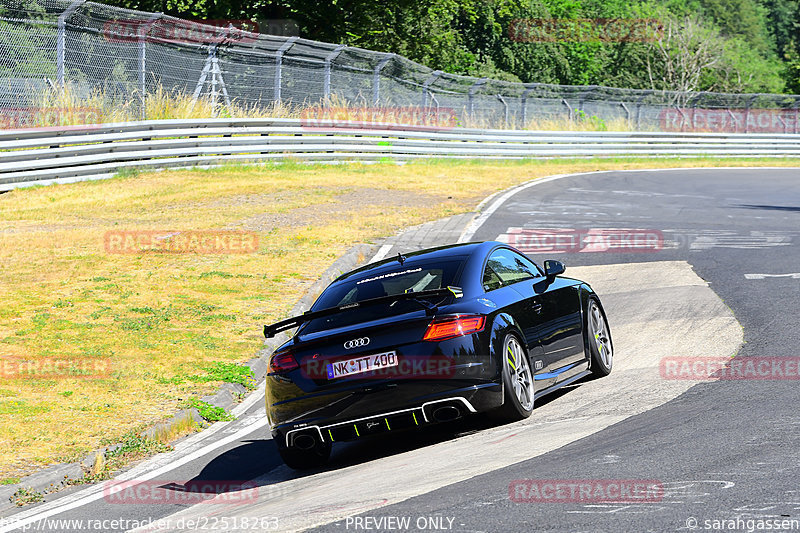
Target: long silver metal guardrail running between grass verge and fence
(45,156)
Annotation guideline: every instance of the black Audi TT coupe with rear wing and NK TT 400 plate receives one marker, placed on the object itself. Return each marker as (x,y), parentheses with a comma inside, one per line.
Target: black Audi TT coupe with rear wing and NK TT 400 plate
(430,337)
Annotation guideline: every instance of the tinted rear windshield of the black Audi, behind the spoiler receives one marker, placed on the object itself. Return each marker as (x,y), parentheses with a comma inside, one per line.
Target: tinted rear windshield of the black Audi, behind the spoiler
(404,278)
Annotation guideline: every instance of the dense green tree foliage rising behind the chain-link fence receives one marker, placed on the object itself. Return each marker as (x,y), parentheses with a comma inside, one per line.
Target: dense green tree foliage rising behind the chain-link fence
(755,43)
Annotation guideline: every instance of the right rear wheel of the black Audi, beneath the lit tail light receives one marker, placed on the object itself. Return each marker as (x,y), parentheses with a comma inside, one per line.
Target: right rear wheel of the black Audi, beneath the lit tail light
(518,391)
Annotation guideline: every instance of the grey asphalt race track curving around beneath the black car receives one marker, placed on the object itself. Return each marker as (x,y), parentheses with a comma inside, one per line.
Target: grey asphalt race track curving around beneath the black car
(708,244)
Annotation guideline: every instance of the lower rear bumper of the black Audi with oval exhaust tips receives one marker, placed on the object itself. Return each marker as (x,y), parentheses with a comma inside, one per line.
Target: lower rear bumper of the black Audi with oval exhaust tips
(392,407)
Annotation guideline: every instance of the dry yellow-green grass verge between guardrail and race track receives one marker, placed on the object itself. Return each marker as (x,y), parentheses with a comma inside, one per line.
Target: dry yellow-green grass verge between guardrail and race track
(166,327)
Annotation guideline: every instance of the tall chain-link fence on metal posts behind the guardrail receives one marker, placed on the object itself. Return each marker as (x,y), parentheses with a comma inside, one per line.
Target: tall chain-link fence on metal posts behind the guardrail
(129,55)
